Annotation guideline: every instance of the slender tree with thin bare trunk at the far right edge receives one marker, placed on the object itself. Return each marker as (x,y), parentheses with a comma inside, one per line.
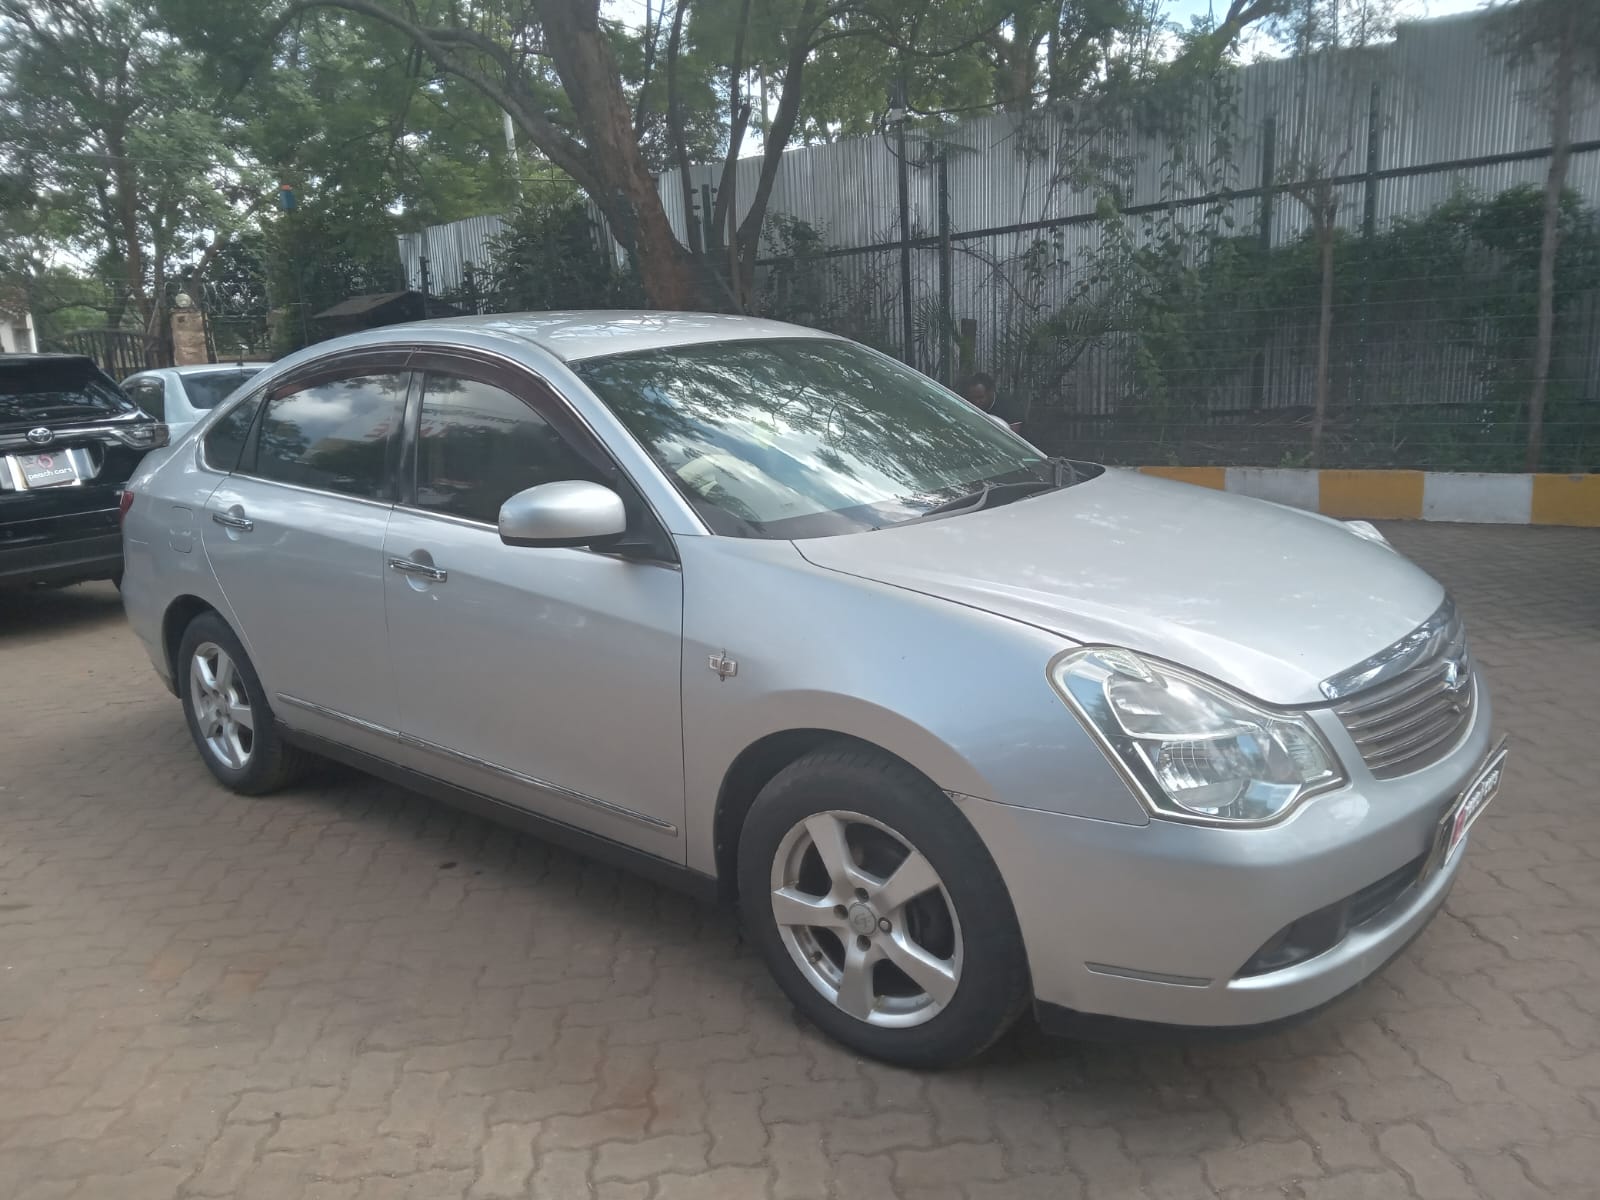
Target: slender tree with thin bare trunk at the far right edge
(1564,38)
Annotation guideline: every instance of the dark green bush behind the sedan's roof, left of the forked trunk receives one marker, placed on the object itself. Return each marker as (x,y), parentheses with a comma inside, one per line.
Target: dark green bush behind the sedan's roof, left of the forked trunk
(551,258)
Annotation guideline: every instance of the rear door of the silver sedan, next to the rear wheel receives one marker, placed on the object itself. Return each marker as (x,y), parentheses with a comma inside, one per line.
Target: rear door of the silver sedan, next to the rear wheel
(295,537)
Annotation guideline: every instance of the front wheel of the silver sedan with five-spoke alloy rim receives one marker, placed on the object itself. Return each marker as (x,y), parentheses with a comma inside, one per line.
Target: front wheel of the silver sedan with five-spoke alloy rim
(879,911)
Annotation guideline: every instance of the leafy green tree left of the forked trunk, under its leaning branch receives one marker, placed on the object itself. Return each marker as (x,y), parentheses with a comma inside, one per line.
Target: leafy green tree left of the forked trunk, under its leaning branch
(372,140)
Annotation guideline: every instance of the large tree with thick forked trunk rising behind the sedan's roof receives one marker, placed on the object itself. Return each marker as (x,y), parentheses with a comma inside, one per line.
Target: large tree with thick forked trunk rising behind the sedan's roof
(554,68)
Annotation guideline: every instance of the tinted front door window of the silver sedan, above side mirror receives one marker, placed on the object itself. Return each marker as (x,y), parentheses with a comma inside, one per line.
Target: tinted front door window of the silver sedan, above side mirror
(479,446)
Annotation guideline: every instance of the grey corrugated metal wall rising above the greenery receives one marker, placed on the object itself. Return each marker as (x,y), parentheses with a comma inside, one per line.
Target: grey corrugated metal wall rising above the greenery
(1446,97)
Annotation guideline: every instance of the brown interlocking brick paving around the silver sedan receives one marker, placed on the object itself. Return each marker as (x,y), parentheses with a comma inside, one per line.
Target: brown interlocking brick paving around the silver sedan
(351,993)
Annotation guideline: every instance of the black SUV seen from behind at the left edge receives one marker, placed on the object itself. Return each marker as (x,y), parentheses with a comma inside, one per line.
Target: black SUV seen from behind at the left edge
(70,439)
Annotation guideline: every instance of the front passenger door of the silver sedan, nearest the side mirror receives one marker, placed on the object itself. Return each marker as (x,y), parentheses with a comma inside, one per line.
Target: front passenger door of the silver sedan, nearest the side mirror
(545,678)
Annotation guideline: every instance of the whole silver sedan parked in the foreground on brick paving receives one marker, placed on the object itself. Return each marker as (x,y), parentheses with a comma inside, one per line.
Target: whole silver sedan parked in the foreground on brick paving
(961,727)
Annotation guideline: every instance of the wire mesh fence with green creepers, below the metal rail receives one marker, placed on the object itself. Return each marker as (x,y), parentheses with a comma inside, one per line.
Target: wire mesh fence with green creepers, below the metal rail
(1418,334)
